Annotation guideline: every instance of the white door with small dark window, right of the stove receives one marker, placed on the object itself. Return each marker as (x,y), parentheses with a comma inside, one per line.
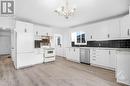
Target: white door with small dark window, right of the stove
(58,45)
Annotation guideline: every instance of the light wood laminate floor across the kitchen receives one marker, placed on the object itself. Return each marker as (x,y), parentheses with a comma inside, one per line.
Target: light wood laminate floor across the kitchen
(58,73)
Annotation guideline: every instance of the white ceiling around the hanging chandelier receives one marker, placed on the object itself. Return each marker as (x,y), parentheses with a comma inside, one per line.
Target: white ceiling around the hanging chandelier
(42,11)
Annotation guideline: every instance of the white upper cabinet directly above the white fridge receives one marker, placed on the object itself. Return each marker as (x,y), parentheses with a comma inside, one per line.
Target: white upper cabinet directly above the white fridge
(24,27)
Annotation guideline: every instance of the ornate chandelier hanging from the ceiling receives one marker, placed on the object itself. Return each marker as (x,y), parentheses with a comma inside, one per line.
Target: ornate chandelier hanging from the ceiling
(65,10)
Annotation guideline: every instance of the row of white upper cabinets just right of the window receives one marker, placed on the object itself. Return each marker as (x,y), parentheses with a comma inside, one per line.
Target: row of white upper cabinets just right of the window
(106,30)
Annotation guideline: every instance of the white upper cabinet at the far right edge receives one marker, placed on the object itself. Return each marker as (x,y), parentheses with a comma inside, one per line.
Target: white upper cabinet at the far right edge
(125,27)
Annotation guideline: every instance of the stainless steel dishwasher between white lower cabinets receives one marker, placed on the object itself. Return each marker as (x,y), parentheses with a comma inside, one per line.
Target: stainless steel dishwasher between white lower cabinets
(85,56)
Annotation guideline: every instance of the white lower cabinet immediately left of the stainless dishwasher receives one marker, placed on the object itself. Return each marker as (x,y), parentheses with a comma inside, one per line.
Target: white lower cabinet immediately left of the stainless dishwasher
(73,54)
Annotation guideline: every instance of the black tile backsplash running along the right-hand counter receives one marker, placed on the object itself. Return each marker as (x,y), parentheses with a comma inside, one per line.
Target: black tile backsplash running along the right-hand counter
(125,43)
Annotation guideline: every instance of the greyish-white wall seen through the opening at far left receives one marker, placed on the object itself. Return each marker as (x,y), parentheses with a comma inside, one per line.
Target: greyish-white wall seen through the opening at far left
(5,42)
